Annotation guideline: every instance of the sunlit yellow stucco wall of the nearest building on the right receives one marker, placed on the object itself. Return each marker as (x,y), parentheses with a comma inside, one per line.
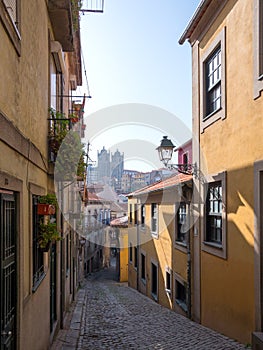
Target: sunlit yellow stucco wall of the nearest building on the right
(233,144)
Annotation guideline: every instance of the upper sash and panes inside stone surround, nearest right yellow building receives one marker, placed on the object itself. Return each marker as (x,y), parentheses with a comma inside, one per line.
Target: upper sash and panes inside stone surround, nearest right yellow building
(213,82)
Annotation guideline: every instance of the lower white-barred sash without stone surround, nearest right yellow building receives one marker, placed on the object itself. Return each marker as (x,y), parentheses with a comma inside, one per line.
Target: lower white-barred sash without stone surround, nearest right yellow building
(214,213)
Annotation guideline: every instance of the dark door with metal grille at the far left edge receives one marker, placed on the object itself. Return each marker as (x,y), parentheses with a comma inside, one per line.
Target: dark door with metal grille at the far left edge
(8,230)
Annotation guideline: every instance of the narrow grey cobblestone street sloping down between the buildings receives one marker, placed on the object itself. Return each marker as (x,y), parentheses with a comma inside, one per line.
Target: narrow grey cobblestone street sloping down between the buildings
(110,315)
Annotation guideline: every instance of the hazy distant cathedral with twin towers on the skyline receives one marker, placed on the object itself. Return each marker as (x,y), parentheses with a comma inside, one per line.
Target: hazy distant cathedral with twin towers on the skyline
(110,167)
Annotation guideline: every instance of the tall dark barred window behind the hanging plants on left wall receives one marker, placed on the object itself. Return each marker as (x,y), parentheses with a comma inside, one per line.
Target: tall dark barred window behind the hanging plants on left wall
(38,259)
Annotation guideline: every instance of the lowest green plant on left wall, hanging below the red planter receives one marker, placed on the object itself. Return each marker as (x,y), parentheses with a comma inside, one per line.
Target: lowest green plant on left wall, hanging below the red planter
(47,234)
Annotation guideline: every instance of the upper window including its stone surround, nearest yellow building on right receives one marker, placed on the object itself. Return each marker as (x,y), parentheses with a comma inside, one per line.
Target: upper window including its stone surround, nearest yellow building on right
(212,104)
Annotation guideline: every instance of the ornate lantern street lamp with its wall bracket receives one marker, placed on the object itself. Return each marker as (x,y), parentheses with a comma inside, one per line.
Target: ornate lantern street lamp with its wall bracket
(165,151)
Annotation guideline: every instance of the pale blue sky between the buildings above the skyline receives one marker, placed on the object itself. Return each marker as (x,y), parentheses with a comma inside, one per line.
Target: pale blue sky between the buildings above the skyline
(131,55)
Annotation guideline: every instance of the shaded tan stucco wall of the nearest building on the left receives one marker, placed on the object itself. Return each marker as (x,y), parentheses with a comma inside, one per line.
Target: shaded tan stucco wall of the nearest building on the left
(24,101)
